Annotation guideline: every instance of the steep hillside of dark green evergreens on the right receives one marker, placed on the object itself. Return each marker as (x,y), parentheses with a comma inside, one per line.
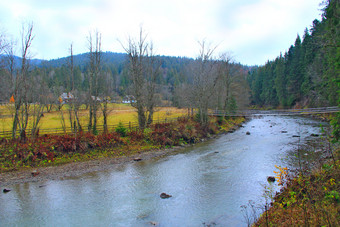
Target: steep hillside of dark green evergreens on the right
(308,74)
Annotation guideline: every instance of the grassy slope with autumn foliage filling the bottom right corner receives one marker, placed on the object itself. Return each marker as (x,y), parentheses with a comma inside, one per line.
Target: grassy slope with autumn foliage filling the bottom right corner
(308,198)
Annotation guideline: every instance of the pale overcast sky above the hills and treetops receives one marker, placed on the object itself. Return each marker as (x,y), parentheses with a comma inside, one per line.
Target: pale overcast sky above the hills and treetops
(253,31)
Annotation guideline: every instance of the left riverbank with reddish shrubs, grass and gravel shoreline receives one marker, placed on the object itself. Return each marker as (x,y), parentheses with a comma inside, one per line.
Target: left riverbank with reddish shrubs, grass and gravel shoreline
(161,140)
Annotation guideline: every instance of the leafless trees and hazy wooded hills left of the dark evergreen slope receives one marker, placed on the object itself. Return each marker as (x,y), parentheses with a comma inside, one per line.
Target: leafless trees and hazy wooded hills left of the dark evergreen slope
(33,86)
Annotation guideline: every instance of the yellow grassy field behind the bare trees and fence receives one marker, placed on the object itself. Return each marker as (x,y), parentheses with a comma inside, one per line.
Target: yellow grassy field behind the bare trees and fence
(124,113)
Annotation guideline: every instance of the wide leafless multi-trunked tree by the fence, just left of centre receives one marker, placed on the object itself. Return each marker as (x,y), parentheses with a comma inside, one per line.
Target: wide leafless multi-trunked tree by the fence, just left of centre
(143,72)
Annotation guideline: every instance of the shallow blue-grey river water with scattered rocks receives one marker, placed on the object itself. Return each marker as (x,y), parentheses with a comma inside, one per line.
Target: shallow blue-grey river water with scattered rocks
(208,183)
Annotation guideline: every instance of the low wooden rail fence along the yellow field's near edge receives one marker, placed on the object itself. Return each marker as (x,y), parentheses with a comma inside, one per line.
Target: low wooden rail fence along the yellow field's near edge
(100,128)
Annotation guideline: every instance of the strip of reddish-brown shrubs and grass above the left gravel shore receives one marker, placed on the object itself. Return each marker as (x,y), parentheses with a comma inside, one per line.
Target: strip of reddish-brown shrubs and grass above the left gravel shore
(51,150)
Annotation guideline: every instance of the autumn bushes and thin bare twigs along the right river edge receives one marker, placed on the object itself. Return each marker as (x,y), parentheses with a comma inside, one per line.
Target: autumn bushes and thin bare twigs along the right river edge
(310,194)
